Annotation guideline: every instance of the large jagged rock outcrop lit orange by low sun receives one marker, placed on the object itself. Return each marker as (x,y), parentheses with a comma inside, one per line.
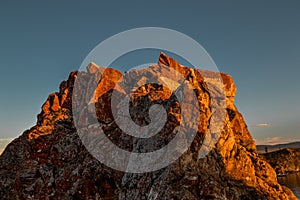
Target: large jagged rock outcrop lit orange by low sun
(49,161)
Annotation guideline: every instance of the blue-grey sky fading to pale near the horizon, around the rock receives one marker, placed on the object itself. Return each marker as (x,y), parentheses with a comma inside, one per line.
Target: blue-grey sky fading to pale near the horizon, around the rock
(257,42)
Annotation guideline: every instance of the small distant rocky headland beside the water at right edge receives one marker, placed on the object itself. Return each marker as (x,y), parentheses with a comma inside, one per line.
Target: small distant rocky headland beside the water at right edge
(284,161)
